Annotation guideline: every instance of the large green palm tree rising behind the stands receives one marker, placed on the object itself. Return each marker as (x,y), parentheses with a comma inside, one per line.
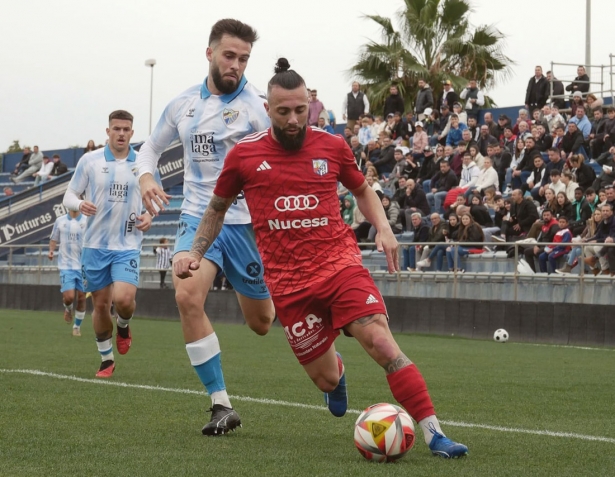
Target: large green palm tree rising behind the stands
(434,42)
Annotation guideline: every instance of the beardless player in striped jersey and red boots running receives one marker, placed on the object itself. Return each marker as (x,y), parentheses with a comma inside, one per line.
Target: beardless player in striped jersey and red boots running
(113,235)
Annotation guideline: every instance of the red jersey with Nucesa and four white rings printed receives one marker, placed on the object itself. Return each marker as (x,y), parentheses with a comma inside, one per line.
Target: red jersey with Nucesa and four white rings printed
(292,197)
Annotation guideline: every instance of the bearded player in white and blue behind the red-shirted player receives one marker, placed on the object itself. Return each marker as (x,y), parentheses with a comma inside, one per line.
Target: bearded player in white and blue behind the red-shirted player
(209,119)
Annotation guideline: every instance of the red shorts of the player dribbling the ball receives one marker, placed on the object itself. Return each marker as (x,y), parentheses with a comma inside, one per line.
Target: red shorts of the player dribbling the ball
(312,317)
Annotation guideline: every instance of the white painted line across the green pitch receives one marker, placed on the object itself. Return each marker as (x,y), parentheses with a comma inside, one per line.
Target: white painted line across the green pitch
(34,372)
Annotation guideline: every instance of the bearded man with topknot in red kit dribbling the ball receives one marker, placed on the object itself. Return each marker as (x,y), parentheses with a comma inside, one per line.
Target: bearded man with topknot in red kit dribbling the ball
(312,263)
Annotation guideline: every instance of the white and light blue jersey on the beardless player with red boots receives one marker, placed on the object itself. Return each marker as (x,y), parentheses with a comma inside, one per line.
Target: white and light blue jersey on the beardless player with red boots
(112,186)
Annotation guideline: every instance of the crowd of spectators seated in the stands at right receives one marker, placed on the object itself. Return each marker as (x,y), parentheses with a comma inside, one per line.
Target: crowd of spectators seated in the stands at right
(446,175)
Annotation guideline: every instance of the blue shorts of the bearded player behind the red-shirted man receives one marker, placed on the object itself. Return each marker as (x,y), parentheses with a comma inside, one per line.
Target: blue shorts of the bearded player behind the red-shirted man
(234,252)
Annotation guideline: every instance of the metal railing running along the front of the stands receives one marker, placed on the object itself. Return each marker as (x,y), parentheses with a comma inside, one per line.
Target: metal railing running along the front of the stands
(41,251)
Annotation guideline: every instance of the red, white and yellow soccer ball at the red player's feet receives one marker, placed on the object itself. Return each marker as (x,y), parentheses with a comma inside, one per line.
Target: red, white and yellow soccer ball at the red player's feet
(384,433)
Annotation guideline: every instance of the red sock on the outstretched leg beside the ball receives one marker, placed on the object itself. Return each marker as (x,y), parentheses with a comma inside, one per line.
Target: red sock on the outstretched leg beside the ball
(409,389)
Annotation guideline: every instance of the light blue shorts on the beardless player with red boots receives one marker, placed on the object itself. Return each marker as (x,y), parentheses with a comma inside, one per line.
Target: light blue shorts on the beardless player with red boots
(101,267)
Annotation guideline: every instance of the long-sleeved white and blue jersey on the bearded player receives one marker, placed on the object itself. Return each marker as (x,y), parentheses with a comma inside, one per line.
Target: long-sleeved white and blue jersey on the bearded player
(208,126)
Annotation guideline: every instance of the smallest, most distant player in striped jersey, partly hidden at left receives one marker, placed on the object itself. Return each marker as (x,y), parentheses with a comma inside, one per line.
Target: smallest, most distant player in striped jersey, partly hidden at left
(68,231)
